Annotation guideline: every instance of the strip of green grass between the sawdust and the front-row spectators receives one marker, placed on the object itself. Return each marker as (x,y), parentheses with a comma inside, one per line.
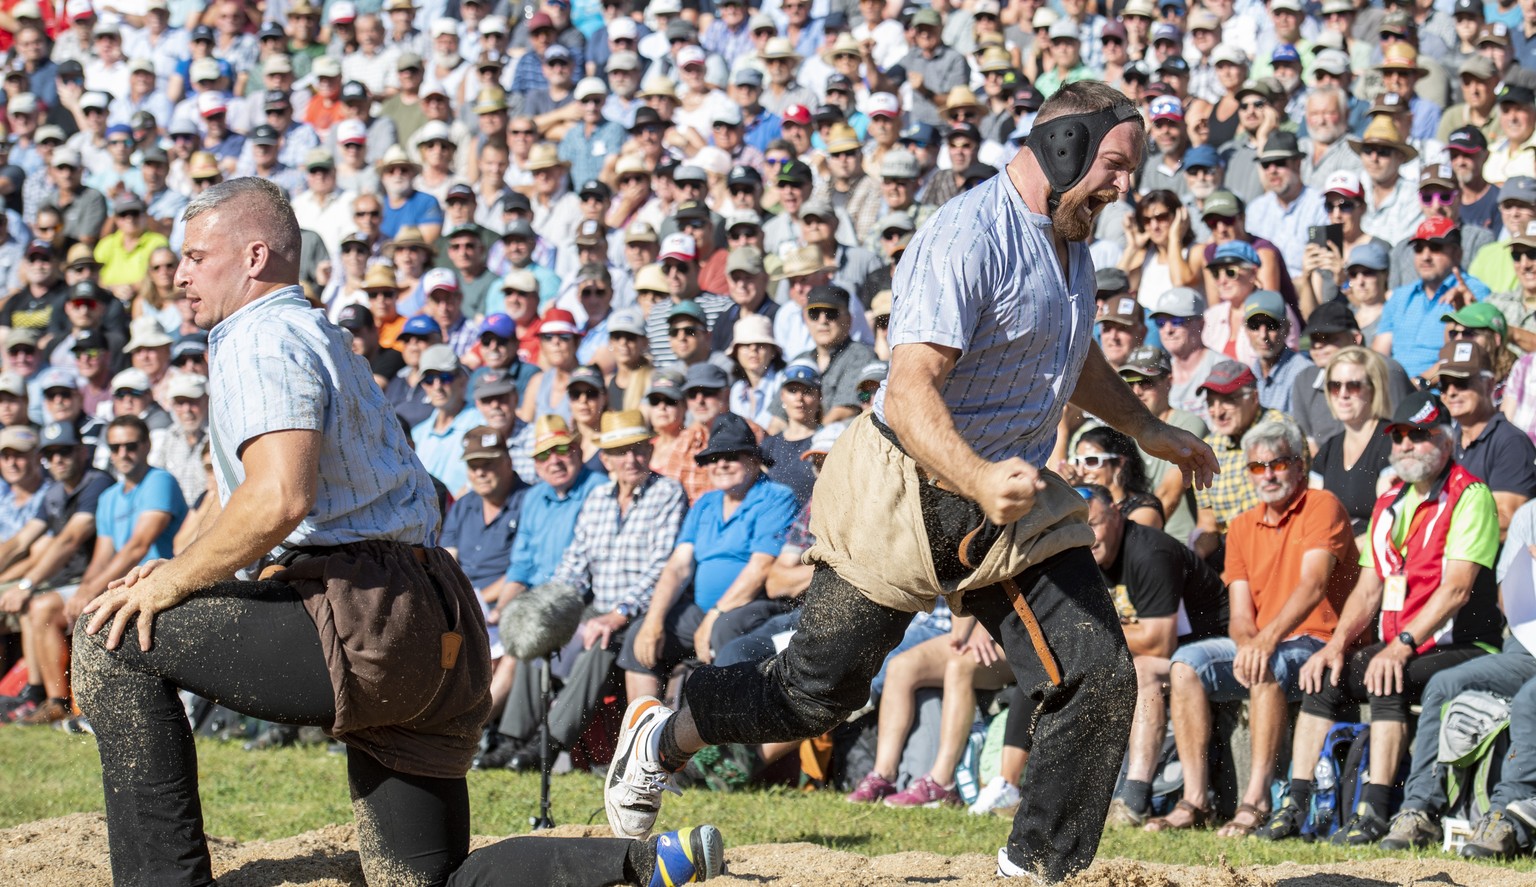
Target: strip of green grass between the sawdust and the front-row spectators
(285,792)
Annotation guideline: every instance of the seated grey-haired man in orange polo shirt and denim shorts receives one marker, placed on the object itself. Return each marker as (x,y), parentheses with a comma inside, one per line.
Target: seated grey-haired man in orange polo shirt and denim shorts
(1291,563)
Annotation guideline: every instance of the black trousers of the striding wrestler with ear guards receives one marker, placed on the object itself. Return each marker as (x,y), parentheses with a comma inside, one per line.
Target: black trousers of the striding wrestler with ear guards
(1082,726)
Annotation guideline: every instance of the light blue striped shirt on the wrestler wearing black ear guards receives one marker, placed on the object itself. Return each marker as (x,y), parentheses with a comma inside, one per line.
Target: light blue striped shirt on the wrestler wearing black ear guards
(982,277)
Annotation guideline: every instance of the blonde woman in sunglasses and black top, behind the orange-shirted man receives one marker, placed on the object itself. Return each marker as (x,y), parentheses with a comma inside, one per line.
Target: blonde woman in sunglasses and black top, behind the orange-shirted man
(1354,465)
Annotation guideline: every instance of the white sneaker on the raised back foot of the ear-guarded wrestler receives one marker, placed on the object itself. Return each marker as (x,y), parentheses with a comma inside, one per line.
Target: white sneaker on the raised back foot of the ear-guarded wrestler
(637,779)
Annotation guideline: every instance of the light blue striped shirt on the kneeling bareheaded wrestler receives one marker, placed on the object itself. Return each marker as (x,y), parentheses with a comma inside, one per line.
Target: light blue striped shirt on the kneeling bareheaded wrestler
(279,365)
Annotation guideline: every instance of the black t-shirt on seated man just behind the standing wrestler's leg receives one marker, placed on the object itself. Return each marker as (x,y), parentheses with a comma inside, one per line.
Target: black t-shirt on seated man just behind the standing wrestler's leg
(1157,574)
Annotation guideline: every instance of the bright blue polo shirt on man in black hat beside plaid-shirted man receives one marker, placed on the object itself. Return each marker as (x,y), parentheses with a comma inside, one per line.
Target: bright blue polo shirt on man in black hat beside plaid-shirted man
(723,546)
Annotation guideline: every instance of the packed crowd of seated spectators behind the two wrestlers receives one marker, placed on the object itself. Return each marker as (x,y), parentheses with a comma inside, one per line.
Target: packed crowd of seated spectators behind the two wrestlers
(624,270)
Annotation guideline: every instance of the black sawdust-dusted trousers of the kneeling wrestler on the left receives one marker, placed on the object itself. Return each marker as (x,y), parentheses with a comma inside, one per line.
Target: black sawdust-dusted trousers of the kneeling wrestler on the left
(253,648)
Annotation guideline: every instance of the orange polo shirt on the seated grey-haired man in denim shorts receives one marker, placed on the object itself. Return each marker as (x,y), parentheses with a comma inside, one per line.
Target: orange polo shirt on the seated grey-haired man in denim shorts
(1268,557)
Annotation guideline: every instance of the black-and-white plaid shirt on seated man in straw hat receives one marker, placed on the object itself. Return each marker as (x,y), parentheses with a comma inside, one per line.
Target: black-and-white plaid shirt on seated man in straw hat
(620,557)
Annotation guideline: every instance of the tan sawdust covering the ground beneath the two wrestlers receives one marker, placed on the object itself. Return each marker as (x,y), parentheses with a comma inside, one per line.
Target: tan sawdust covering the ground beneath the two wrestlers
(71,852)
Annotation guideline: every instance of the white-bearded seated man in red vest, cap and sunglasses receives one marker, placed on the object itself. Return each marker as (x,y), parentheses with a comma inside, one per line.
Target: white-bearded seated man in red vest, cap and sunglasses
(1428,588)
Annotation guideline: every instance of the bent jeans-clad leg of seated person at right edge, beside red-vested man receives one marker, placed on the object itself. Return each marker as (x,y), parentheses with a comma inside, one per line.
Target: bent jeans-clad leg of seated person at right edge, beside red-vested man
(1505,674)
